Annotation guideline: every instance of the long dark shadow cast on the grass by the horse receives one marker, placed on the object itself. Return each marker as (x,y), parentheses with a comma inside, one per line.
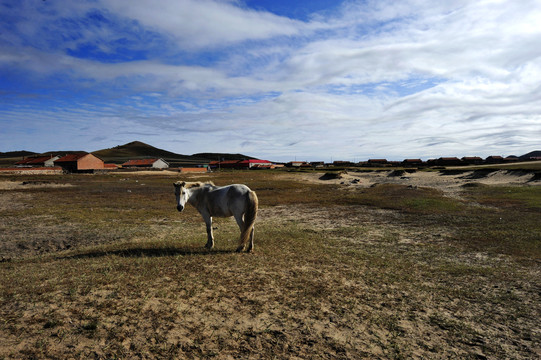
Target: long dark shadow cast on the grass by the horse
(148,252)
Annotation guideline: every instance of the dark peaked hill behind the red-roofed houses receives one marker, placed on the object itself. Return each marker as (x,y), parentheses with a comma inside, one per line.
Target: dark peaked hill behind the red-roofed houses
(139,150)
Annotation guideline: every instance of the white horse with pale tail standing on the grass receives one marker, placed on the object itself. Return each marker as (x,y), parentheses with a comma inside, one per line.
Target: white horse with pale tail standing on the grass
(221,201)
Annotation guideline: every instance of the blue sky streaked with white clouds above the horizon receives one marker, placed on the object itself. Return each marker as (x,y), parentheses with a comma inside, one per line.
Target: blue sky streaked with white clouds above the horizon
(276,79)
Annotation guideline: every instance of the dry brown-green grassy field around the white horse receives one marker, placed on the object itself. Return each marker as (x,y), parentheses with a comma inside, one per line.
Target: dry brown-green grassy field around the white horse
(103,266)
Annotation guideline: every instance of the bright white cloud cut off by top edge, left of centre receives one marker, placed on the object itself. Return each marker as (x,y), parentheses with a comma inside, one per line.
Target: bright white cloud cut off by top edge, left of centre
(197,24)
